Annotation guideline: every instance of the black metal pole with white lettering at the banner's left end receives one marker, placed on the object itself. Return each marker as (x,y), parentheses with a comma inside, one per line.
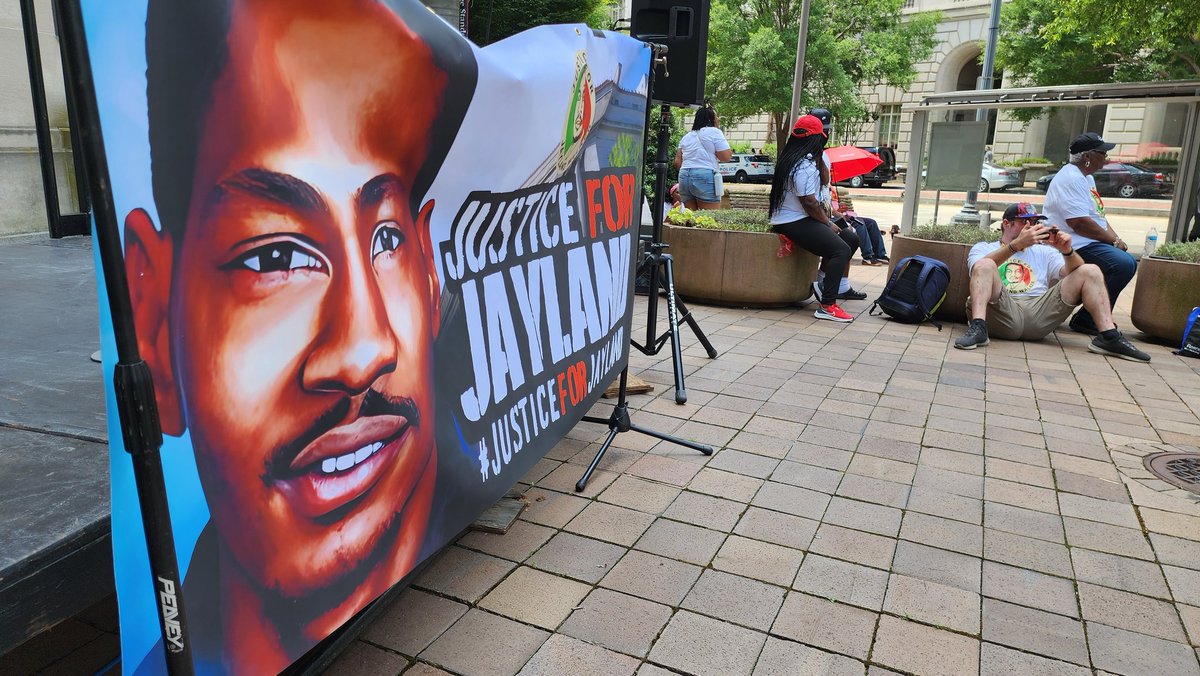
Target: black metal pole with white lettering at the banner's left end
(133,382)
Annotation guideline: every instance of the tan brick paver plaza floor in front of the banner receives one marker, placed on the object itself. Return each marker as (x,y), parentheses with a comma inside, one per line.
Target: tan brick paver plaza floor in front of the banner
(880,502)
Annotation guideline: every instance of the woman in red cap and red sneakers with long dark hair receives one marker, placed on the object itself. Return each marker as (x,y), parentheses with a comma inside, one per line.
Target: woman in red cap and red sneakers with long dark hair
(796,213)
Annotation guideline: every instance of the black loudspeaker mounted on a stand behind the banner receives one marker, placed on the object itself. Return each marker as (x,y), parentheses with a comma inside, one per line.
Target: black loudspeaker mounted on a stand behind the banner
(683,27)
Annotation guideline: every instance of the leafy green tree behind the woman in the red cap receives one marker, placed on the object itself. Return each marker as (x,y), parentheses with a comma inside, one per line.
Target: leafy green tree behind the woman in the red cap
(851,44)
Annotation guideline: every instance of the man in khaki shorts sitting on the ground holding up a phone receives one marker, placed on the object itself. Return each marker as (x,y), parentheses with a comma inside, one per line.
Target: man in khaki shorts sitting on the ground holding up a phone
(1030,282)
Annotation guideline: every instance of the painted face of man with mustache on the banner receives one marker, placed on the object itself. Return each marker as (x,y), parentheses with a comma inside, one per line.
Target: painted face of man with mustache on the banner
(303,303)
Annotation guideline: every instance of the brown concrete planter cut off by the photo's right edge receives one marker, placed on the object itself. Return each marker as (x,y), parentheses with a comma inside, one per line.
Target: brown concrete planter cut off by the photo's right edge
(1166,294)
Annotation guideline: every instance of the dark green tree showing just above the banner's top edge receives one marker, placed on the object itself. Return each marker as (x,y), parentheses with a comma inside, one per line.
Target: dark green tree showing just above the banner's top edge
(493,21)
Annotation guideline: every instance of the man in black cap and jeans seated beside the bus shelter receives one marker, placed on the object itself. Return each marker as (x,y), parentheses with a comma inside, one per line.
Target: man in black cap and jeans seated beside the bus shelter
(1075,206)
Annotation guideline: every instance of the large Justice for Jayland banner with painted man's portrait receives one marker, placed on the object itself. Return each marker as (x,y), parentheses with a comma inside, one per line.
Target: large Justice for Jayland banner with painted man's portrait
(376,273)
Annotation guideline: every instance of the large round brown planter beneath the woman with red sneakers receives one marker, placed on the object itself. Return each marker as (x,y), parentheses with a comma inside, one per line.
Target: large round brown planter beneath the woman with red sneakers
(739,268)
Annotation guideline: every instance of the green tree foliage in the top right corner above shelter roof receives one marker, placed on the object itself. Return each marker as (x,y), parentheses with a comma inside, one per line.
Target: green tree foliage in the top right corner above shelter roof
(1100,41)
